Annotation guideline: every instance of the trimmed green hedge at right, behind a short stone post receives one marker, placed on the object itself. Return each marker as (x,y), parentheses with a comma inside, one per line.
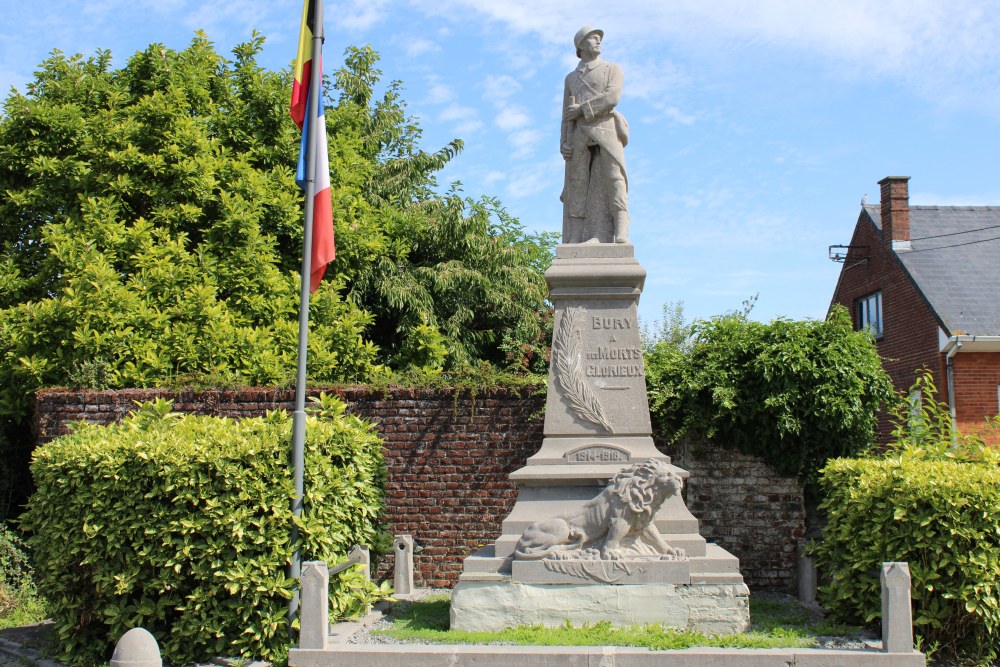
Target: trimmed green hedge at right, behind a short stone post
(943,518)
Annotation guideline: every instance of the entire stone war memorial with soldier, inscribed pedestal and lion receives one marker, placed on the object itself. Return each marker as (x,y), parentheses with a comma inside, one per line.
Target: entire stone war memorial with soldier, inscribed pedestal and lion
(600,531)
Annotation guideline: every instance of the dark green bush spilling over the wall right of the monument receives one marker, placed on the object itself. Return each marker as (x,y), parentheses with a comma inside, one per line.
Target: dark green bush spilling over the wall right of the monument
(795,393)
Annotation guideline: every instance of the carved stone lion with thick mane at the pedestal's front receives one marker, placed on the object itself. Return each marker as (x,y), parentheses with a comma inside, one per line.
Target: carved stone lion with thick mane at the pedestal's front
(617,524)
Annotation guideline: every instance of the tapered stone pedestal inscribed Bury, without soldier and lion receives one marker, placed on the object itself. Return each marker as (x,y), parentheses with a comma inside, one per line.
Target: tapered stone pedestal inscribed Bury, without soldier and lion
(597,424)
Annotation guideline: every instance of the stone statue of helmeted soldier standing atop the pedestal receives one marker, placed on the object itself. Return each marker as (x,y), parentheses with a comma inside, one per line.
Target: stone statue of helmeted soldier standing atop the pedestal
(592,141)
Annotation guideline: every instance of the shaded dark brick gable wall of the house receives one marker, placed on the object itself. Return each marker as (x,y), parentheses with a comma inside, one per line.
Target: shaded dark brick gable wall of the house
(910,330)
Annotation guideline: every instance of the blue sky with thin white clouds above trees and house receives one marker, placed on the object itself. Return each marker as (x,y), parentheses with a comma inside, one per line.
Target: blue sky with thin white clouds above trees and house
(756,126)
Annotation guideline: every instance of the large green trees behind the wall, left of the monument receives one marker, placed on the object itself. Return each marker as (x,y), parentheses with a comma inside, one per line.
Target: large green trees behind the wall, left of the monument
(151,233)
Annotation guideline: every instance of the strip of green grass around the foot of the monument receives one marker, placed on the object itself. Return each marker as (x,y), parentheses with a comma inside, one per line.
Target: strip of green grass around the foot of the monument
(776,624)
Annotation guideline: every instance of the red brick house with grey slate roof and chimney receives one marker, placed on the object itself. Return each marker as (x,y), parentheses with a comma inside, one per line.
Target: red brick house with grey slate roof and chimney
(926,280)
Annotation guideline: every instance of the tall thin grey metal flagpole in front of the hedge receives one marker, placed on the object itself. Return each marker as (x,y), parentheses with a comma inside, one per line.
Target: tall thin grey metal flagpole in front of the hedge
(299,416)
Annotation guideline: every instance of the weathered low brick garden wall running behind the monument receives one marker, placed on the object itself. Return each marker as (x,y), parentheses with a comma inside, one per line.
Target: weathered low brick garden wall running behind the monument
(449,457)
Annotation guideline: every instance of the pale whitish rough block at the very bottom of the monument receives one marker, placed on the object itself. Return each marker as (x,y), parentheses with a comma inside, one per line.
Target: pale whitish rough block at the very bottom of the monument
(490,606)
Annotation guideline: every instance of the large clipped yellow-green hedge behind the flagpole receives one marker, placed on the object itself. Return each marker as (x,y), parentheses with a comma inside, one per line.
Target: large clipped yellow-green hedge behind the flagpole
(180,524)
